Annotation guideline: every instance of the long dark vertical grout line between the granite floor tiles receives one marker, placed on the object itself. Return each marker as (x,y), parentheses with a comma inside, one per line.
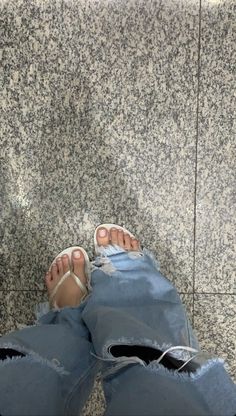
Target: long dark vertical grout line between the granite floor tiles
(196,155)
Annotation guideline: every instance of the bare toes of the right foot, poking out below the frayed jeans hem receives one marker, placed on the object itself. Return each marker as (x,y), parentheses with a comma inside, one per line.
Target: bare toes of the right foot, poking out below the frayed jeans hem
(119,237)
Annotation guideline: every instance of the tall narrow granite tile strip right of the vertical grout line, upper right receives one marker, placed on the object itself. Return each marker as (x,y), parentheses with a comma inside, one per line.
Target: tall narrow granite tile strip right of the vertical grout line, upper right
(216,197)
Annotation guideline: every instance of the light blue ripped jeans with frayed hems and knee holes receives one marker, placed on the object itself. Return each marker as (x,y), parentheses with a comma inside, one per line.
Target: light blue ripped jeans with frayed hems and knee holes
(132,315)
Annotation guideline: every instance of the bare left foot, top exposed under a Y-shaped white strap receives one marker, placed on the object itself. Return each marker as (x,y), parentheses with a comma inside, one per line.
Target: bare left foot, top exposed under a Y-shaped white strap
(69,293)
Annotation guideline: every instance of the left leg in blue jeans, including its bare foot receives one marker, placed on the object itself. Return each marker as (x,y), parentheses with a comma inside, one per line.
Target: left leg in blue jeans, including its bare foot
(47,369)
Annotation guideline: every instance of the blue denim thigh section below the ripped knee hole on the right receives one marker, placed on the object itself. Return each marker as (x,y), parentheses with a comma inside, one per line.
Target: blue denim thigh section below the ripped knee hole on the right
(154,391)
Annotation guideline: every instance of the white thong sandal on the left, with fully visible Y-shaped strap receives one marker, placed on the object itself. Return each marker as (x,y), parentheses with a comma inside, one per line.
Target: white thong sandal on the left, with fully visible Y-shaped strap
(84,288)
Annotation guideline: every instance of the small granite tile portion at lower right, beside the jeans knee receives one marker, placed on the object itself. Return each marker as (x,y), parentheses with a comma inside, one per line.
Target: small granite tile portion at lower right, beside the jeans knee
(215,326)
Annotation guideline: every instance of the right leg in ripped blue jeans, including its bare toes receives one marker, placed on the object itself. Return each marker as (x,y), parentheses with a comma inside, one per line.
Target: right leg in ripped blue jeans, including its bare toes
(134,315)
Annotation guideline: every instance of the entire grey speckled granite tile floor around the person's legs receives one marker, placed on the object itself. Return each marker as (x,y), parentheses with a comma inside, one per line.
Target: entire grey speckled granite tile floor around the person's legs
(120,112)
